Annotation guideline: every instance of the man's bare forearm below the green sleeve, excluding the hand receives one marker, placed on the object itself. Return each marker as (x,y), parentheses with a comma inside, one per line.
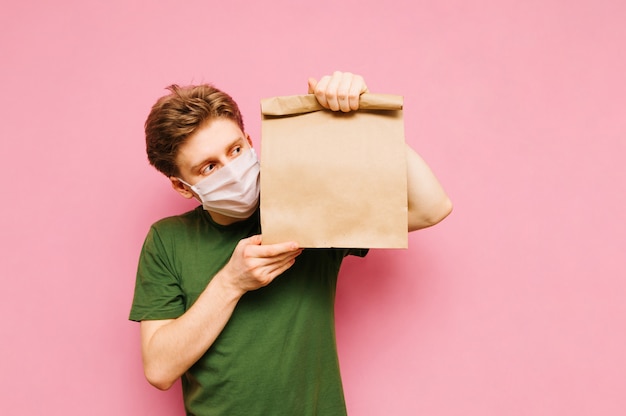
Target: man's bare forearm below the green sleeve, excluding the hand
(171,347)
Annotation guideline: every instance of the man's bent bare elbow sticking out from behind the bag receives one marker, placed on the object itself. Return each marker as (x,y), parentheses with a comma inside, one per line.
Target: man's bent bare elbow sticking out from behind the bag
(428,202)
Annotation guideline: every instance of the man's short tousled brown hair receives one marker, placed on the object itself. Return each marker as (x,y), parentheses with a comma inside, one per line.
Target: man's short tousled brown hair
(178,115)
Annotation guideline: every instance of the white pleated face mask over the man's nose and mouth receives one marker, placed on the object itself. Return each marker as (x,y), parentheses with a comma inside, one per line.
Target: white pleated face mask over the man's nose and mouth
(233,190)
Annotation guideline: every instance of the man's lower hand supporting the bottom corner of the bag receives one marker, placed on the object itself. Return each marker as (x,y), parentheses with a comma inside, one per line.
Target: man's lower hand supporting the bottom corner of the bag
(253,265)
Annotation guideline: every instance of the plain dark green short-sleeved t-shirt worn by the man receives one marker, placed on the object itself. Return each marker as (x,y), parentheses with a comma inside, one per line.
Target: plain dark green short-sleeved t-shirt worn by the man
(277,354)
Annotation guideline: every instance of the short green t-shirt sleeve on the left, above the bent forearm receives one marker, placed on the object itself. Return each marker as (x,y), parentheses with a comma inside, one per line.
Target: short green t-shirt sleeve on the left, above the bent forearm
(158,292)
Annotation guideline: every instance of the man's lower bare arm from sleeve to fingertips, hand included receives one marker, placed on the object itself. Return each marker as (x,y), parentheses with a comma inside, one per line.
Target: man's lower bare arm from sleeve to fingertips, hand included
(170,347)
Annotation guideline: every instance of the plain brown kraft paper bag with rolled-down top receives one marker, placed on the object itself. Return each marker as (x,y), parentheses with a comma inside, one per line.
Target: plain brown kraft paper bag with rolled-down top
(333,179)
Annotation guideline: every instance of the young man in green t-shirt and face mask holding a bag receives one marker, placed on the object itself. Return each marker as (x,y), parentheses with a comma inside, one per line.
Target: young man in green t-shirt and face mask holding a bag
(248,327)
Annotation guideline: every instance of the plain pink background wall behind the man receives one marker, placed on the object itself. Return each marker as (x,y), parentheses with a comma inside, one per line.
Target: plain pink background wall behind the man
(515,305)
